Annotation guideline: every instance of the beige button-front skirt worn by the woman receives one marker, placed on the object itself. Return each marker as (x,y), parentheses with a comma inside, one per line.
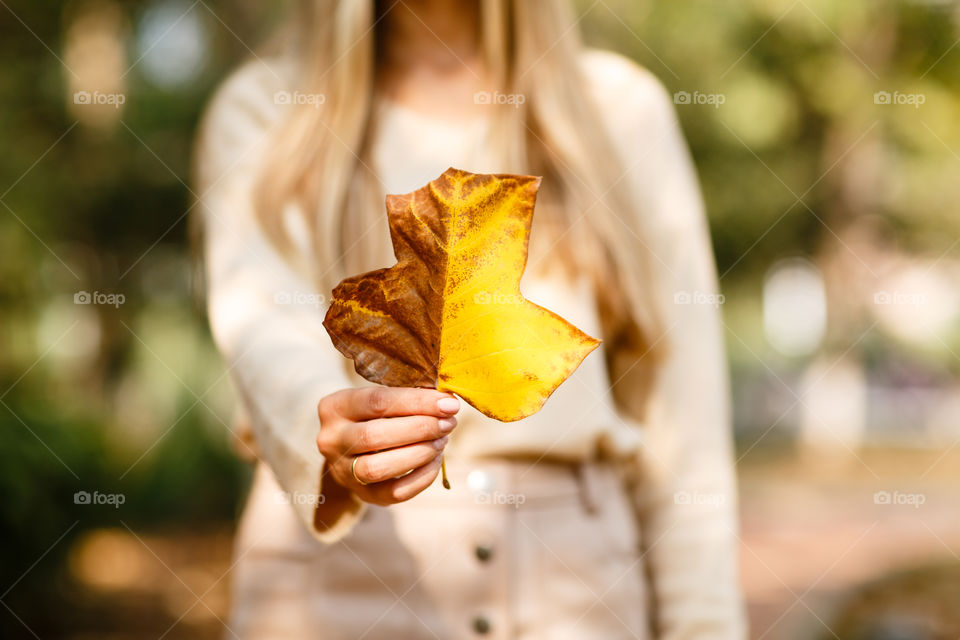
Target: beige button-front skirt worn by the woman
(513,550)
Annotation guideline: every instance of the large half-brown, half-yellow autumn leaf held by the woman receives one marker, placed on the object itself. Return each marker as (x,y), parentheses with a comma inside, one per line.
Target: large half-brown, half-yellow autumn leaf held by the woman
(450,314)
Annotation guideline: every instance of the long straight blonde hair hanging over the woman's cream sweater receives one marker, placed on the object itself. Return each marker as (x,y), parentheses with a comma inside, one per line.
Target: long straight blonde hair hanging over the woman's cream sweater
(320,159)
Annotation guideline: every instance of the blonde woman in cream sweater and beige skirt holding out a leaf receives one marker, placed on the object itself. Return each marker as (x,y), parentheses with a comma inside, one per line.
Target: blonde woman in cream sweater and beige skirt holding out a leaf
(608,514)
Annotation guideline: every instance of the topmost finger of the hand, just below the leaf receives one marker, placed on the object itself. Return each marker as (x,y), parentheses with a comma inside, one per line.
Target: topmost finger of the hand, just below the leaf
(370,403)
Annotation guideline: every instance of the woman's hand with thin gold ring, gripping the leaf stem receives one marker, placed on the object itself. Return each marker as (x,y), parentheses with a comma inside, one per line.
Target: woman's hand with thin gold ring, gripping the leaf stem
(390,432)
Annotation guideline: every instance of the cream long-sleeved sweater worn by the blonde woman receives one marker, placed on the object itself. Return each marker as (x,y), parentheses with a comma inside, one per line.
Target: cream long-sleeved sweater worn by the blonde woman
(266,320)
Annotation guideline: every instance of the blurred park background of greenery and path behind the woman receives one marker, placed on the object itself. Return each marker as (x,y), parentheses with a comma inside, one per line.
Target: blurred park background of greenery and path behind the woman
(827,137)
